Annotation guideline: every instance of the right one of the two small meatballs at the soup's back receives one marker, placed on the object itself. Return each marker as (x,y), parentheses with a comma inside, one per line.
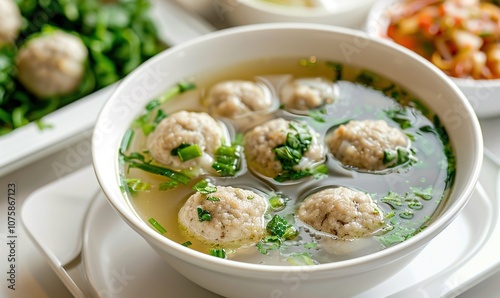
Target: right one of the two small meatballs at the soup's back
(308,93)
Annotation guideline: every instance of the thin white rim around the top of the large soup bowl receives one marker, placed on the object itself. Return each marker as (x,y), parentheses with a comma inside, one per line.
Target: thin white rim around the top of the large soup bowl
(204,260)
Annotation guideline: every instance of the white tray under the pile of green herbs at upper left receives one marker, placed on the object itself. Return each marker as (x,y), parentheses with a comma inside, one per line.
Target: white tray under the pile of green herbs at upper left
(75,121)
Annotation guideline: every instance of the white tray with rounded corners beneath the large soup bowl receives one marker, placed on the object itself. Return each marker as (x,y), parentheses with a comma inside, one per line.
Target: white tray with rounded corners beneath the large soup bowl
(116,262)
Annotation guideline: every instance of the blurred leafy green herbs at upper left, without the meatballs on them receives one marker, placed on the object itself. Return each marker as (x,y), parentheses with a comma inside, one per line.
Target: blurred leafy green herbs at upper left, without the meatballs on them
(119,35)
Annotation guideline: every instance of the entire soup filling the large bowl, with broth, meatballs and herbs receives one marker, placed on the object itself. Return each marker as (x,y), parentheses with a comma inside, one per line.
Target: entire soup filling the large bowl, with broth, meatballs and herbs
(275,185)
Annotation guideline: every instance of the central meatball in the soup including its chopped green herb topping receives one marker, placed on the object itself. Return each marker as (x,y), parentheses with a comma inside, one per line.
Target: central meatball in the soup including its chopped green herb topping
(263,143)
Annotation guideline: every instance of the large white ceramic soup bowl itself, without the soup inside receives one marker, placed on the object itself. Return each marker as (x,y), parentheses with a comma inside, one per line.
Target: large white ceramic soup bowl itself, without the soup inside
(227,47)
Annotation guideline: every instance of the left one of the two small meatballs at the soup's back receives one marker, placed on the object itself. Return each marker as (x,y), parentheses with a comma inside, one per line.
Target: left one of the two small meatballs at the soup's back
(235,98)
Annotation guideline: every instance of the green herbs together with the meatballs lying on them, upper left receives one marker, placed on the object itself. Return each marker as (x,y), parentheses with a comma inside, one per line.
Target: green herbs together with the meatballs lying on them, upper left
(55,52)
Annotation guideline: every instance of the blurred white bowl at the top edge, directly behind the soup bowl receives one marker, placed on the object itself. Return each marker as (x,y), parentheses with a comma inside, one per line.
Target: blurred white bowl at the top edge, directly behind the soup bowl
(342,13)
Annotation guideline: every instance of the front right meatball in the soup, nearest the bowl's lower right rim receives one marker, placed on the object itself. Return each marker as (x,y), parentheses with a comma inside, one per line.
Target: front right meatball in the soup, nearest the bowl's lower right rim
(342,212)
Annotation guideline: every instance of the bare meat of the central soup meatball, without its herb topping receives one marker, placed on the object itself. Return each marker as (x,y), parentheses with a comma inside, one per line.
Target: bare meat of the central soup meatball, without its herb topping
(260,142)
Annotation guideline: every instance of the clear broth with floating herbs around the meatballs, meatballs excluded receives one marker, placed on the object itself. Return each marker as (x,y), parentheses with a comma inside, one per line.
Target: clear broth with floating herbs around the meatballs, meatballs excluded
(407,193)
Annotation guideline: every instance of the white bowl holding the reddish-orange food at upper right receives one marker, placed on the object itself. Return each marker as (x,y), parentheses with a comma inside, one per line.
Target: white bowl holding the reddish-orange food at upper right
(483,95)
